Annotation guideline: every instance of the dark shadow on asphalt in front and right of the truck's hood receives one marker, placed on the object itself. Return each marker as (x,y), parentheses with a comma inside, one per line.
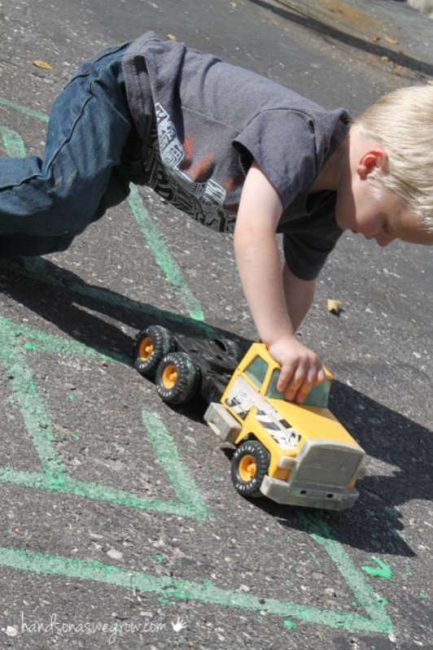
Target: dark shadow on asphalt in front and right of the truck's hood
(375,523)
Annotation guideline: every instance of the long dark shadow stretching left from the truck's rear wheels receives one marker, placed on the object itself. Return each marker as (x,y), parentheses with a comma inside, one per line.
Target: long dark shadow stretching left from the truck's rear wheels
(95,316)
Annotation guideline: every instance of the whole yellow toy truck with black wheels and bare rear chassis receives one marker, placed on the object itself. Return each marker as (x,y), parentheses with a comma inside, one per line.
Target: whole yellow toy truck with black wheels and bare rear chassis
(293,454)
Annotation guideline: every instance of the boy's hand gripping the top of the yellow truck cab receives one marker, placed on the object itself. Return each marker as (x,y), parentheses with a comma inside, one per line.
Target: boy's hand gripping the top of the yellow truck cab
(301,368)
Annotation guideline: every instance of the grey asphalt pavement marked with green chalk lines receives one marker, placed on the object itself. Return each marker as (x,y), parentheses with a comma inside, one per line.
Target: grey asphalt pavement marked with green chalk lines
(121,527)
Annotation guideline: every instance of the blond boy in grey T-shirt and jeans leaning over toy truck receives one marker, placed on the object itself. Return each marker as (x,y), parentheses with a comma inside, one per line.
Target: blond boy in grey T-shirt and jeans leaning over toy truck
(240,154)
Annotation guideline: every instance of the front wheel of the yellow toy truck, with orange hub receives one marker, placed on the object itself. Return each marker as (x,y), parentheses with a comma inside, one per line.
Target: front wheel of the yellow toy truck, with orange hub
(250,463)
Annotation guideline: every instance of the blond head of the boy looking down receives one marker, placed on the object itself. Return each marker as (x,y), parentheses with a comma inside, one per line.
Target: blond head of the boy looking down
(391,148)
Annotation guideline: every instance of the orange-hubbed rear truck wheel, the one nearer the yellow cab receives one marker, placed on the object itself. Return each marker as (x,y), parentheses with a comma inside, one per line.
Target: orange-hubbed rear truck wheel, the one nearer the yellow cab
(177,378)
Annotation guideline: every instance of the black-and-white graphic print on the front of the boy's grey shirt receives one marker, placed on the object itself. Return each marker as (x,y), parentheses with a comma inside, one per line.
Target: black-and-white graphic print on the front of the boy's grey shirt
(202,200)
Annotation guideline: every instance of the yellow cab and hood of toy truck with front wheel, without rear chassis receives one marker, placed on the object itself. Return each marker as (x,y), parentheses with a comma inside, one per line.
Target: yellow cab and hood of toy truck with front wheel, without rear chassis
(294,454)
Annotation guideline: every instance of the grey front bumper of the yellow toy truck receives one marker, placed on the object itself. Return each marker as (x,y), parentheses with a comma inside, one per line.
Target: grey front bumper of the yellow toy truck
(308,495)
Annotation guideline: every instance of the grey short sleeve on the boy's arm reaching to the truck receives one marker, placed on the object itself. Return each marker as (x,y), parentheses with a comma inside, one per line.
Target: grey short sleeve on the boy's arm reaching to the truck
(282,142)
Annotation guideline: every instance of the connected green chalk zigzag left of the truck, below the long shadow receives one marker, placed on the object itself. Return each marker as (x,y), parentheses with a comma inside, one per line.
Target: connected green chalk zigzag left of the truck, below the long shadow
(38,424)
